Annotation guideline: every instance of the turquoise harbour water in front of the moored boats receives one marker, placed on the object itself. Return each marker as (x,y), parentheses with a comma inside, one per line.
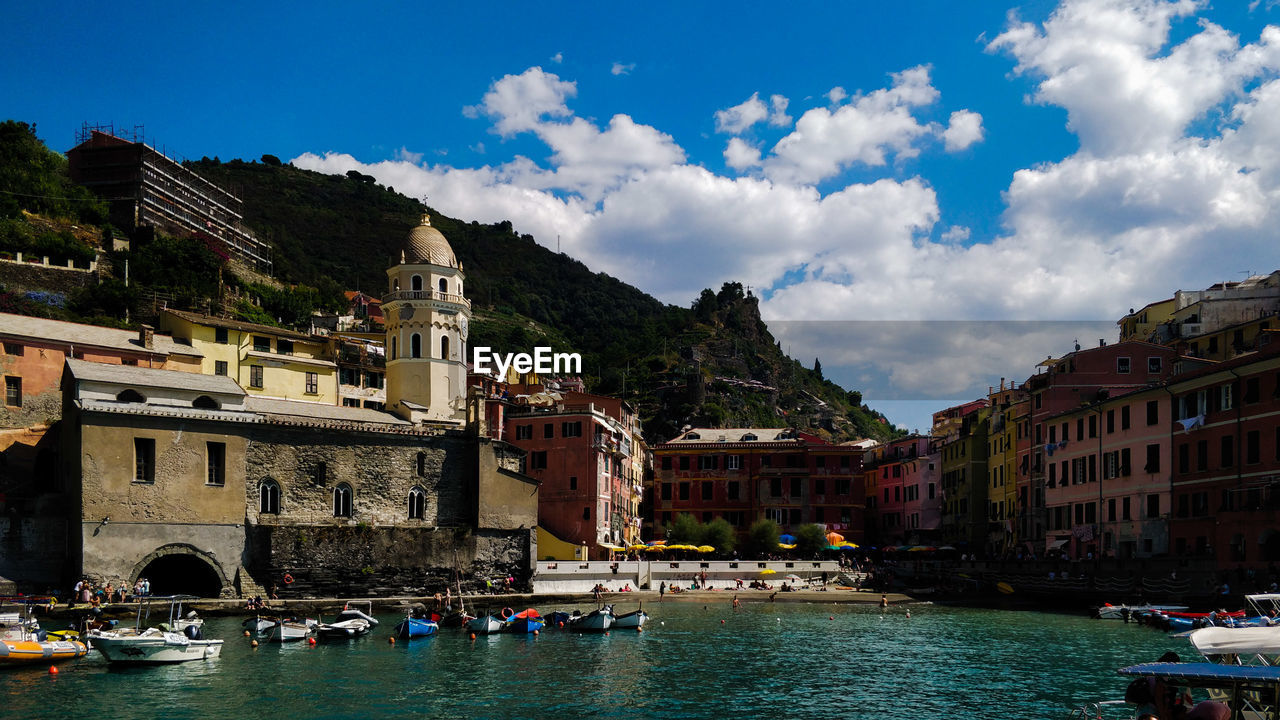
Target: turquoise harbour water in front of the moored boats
(764,662)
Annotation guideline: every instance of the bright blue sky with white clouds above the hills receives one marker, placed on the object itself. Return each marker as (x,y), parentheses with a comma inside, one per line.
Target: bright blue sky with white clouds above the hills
(930,198)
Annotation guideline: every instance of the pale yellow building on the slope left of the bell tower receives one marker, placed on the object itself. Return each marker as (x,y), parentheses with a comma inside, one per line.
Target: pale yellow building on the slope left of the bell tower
(266,362)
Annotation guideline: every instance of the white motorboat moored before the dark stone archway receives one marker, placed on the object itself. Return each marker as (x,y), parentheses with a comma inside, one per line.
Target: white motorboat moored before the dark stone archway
(144,645)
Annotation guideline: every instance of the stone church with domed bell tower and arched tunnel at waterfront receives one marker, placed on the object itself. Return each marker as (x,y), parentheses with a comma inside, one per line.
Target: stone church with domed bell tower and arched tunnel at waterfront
(200,487)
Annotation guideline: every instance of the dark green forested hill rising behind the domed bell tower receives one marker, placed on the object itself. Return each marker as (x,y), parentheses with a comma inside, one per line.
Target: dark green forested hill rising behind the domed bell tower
(714,364)
